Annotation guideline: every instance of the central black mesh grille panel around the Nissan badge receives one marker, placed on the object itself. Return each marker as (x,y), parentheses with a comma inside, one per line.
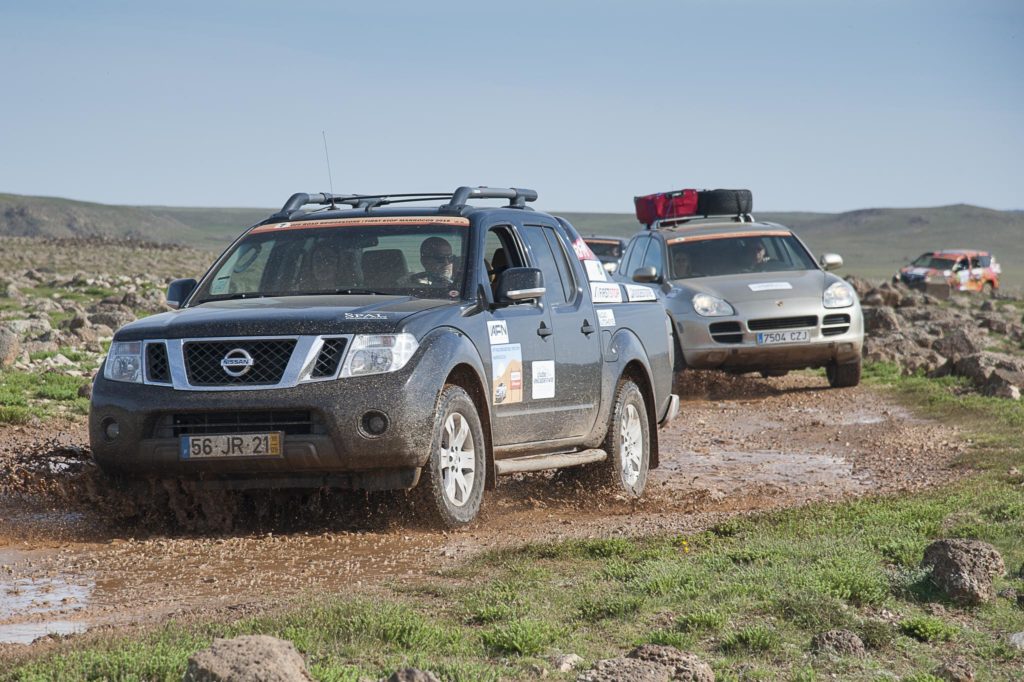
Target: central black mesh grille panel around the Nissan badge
(270,360)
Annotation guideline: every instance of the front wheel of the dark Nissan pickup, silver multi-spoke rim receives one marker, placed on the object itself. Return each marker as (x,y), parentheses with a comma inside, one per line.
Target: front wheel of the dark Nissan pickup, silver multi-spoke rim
(451,488)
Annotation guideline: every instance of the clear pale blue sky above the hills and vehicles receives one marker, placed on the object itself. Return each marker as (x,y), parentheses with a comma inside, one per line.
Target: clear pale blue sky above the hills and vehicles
(817,105)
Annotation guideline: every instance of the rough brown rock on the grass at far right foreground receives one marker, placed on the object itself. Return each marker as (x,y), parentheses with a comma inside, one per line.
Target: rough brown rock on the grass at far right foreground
(964,569)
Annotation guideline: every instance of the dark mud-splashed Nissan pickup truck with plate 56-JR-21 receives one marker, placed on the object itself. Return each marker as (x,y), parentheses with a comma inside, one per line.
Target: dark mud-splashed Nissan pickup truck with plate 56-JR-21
(367,346)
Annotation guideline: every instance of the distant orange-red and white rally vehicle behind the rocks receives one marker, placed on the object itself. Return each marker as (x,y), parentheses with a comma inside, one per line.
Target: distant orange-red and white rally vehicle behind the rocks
(963,270)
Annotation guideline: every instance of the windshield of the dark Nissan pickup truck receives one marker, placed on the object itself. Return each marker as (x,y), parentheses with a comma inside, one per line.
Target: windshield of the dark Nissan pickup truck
(422,261)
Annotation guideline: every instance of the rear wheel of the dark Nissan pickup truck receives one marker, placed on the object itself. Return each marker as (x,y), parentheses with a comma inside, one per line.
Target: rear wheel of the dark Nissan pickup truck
(628,443)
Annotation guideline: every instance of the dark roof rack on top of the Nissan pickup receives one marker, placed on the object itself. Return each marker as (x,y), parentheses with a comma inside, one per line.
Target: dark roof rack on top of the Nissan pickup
(457,200)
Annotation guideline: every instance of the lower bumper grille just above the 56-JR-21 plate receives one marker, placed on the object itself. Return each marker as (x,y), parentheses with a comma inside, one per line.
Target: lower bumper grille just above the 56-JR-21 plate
(220,423)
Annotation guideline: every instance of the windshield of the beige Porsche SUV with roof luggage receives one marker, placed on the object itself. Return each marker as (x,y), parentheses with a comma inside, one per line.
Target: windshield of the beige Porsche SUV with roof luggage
(712,257)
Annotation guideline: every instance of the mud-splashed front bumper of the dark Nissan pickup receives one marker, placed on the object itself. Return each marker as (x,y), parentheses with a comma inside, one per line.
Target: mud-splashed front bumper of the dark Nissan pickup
(333,449)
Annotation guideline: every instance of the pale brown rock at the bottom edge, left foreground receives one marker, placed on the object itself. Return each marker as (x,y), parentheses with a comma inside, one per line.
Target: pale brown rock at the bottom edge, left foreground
(248,658)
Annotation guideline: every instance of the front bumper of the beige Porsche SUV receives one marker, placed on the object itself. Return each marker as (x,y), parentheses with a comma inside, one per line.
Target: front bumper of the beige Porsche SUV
(836,336)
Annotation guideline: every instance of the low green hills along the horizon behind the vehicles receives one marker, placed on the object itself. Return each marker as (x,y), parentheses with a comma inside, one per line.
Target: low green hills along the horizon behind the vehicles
(873,242)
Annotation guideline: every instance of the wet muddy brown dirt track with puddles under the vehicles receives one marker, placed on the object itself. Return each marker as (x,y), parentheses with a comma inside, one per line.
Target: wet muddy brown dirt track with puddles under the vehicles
(740,445)
